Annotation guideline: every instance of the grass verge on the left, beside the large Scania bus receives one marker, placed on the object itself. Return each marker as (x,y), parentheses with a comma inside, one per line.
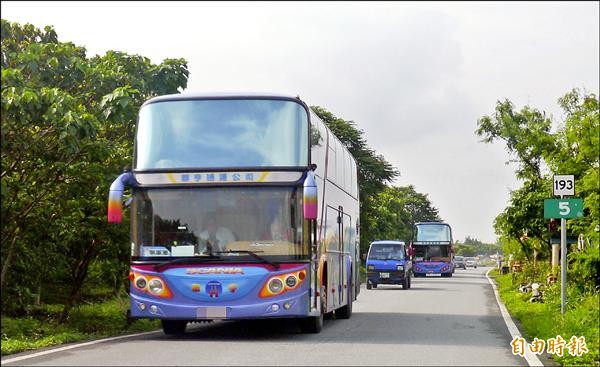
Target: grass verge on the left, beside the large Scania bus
(86,322)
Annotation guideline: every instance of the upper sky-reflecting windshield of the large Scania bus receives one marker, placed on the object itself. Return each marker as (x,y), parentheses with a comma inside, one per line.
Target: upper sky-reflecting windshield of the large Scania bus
(218,133)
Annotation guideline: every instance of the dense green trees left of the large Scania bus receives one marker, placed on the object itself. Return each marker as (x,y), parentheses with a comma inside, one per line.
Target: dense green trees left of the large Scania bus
(67,130)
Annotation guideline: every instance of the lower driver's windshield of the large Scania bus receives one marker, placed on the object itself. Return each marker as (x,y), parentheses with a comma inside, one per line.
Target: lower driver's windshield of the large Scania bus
(184,222)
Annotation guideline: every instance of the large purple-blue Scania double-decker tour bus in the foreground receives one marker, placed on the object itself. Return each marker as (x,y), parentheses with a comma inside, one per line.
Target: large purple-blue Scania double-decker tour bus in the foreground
(243,206)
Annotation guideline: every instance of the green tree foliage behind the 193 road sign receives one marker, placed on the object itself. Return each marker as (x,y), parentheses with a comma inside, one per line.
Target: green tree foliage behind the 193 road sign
(541,153)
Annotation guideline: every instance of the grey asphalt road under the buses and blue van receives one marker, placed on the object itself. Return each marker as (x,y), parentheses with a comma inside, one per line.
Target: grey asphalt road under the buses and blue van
(439,321)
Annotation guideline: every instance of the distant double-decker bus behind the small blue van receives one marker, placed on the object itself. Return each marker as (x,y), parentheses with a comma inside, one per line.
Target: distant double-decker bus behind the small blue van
(432,249)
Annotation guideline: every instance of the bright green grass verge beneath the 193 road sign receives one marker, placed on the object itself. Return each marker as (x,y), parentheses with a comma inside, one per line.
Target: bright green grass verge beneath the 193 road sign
(545,321)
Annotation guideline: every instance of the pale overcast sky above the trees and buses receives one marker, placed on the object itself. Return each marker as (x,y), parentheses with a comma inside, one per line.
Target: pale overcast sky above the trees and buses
(414,76)
